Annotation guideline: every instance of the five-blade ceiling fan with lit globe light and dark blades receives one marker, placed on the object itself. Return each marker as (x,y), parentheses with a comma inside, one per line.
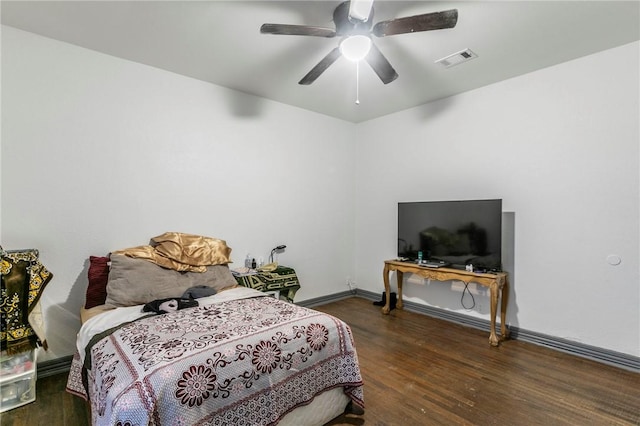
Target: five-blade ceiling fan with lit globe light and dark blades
(353,22)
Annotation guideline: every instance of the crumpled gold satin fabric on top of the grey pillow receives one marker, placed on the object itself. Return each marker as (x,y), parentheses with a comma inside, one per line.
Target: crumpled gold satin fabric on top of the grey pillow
(182,252)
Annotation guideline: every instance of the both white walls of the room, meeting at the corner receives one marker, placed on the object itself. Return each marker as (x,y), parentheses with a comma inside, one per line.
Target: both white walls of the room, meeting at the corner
(100,153)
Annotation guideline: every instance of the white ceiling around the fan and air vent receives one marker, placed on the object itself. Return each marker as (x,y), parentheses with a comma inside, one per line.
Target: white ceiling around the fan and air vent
(220,42)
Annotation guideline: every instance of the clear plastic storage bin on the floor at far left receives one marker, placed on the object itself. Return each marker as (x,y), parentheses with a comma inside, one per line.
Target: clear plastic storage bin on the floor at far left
(17,379)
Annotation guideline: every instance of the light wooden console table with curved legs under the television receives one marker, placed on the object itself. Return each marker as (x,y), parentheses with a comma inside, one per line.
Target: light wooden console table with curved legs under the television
(497,283)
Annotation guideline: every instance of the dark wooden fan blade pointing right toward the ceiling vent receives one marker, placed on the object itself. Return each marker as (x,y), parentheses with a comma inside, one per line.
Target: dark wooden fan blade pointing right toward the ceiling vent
(414,24)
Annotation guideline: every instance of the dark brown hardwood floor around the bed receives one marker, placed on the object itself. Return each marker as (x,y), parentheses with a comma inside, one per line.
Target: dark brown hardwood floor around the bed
(424,371)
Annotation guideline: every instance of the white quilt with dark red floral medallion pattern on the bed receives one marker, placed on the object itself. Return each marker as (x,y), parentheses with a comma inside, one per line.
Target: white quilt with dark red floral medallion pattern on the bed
(240,362)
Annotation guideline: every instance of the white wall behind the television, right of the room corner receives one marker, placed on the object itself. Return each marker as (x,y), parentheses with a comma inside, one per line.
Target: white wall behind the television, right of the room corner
(560,146)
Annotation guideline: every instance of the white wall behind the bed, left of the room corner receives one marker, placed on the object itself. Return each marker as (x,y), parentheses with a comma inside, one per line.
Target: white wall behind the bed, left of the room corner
(100,153)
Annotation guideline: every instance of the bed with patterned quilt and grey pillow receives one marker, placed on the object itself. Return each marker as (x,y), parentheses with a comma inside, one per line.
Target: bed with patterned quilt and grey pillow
(240,357)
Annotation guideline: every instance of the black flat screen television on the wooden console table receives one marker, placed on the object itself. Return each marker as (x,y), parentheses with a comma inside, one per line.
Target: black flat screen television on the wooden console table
(459,233)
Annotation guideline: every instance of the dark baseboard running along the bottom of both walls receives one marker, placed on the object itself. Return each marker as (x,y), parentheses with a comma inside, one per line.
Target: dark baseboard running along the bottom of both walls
(605,356)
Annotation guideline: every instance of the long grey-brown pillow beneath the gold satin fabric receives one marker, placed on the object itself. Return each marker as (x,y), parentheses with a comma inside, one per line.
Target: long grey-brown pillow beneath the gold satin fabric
(138,281)
